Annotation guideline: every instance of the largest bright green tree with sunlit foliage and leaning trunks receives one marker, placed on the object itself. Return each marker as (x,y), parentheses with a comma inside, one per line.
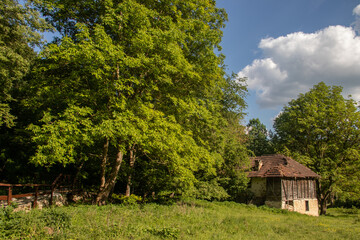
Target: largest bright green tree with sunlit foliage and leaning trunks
(130,79)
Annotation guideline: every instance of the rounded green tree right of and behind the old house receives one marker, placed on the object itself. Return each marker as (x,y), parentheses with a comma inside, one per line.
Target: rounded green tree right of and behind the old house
(322,130)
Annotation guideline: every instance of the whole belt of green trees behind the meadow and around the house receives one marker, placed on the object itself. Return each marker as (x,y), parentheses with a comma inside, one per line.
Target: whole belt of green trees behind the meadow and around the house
(131,97)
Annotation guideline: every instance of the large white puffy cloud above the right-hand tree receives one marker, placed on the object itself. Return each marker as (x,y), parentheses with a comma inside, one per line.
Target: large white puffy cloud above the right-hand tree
(292,64)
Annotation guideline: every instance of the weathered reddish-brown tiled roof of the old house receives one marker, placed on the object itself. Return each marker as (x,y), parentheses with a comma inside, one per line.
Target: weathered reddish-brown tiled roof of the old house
(278,165)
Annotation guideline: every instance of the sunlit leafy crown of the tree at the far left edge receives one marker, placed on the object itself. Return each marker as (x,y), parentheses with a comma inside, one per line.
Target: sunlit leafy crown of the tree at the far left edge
(19,33)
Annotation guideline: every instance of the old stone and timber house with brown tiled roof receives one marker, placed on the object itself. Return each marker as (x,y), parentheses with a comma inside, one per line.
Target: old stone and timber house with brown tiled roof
(281,182)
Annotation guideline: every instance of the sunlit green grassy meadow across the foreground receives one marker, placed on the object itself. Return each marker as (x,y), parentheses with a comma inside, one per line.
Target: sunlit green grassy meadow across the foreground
(182,220)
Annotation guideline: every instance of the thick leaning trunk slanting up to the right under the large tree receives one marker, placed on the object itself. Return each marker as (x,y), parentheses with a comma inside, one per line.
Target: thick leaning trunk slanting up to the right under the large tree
(111,180)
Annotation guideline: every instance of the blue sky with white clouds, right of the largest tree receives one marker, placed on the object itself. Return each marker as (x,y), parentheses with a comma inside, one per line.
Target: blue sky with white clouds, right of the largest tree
(285,47)
